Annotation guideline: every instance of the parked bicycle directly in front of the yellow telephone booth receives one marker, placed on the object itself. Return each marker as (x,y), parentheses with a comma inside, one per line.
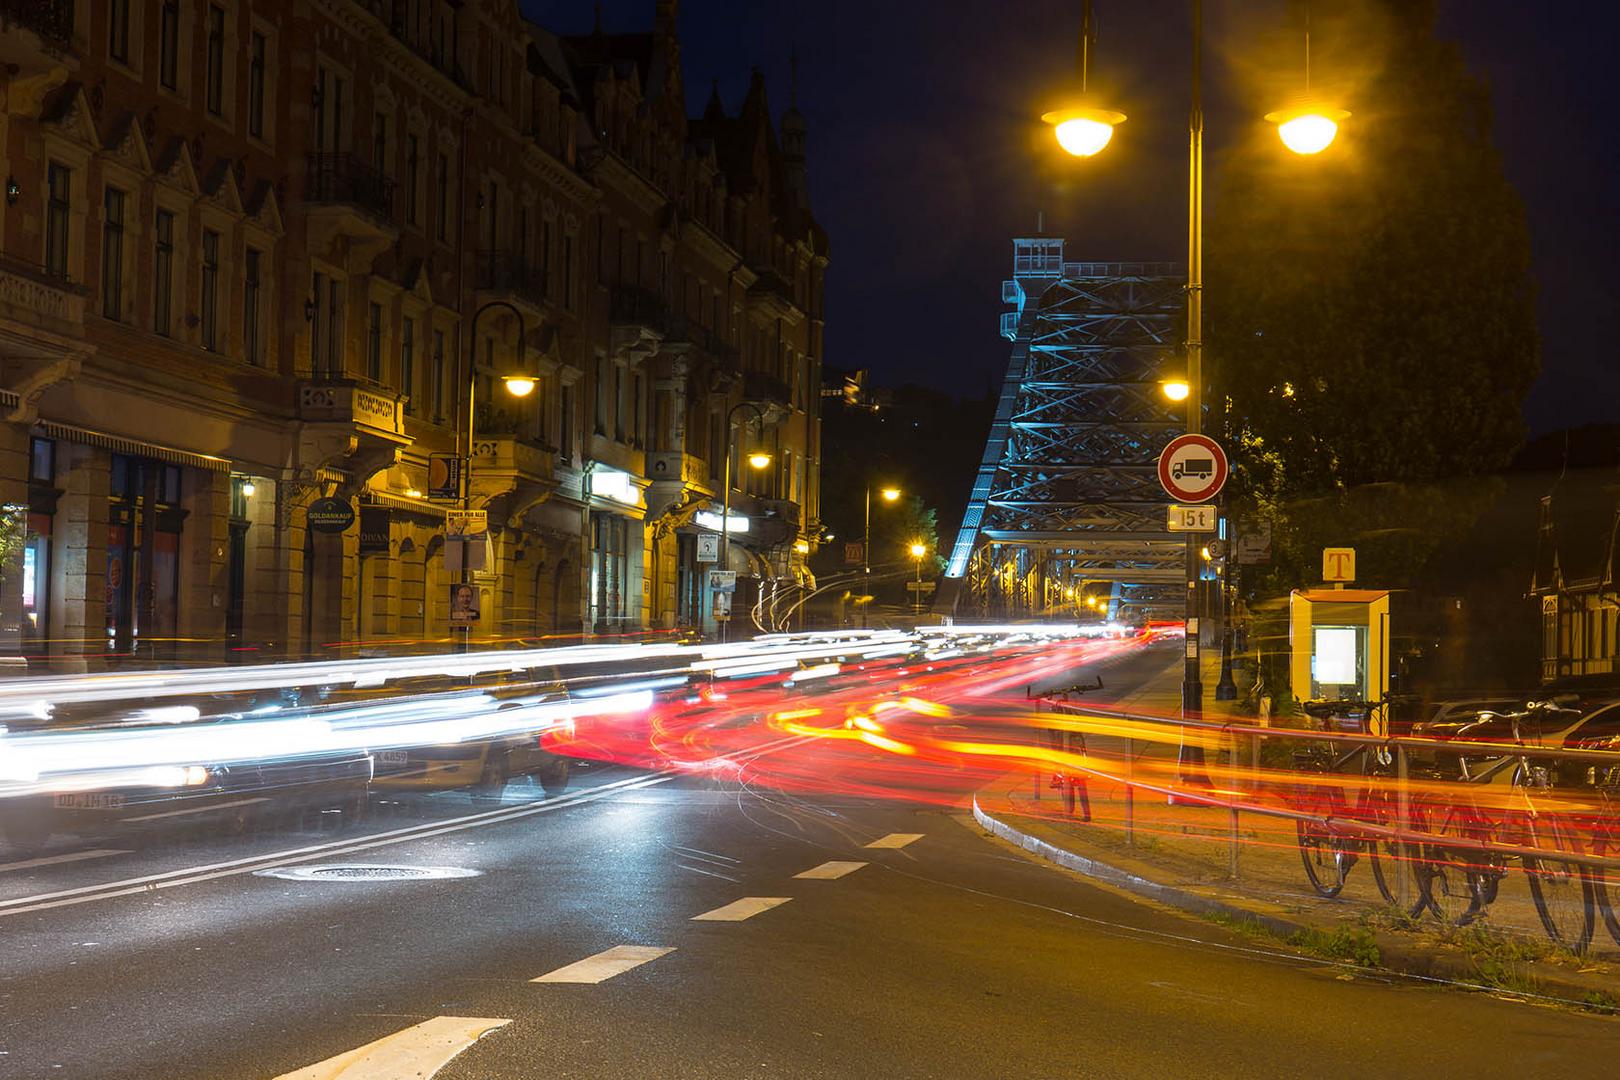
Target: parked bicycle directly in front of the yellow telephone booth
(1328,853)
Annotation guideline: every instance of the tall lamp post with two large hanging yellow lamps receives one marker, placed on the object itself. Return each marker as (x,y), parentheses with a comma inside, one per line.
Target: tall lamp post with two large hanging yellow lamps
(1083,130)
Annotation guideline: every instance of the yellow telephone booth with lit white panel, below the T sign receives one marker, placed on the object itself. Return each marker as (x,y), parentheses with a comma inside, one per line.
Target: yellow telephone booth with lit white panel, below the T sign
(1339,645)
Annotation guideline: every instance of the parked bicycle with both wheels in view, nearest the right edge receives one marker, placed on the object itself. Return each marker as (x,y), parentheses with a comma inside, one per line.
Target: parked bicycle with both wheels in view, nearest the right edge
(1460,882)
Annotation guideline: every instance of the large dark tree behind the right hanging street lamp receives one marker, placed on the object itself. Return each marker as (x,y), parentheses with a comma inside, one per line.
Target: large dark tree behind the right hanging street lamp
(1371,310)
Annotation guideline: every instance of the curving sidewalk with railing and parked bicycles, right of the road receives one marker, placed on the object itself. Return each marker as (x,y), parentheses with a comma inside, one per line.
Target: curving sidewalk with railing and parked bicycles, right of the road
(1195,859)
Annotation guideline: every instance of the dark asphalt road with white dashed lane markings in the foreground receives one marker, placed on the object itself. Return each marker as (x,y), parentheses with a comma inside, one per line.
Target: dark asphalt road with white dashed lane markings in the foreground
(942,955)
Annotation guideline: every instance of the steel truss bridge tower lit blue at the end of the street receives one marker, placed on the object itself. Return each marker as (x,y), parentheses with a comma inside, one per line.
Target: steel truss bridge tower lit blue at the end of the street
(1067,506)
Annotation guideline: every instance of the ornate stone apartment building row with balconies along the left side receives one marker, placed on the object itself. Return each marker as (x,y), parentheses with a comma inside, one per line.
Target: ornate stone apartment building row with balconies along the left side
(257,255)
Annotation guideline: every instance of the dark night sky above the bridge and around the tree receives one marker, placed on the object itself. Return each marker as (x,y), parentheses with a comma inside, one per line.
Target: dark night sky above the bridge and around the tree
(927,155)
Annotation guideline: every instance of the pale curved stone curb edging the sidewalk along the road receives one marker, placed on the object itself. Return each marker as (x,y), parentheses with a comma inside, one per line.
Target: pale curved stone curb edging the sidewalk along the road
(1404,958)
